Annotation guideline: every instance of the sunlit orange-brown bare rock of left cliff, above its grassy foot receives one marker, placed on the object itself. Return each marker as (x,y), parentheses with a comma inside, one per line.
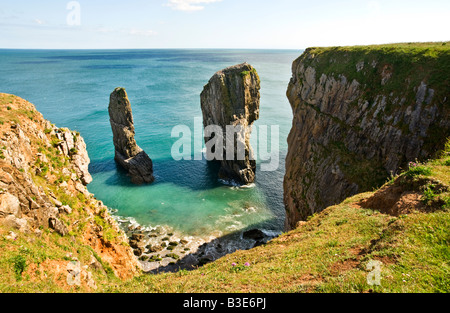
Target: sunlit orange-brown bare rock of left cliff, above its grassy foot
(43,178)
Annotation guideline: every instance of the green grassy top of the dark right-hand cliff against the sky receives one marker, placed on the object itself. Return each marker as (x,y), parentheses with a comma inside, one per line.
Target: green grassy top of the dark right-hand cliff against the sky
(403,61)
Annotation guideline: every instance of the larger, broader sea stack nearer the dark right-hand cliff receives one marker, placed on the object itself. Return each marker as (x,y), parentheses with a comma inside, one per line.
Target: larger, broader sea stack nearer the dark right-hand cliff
(231,98)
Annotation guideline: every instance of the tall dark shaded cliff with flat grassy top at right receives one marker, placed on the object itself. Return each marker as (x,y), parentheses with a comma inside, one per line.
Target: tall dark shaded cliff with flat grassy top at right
(361,114)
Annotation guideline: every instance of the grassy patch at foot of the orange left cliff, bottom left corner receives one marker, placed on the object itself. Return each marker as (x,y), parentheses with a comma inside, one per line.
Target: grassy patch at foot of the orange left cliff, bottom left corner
(28,264)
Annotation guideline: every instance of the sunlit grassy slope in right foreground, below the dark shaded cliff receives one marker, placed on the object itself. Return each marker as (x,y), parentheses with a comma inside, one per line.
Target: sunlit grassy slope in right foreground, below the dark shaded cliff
(330,252)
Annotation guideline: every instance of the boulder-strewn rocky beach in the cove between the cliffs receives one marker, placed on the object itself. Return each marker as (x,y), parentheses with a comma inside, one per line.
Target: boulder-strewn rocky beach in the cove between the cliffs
(161,249)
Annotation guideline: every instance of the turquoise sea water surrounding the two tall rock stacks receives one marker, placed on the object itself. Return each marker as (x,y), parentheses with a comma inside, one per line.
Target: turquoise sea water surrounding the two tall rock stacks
(72,88)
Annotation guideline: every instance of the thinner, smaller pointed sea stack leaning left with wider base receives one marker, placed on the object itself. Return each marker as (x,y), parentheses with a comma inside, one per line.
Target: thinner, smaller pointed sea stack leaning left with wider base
(128,154)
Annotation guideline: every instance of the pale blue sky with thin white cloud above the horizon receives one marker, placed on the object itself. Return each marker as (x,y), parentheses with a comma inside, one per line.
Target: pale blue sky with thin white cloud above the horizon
(271,24)
